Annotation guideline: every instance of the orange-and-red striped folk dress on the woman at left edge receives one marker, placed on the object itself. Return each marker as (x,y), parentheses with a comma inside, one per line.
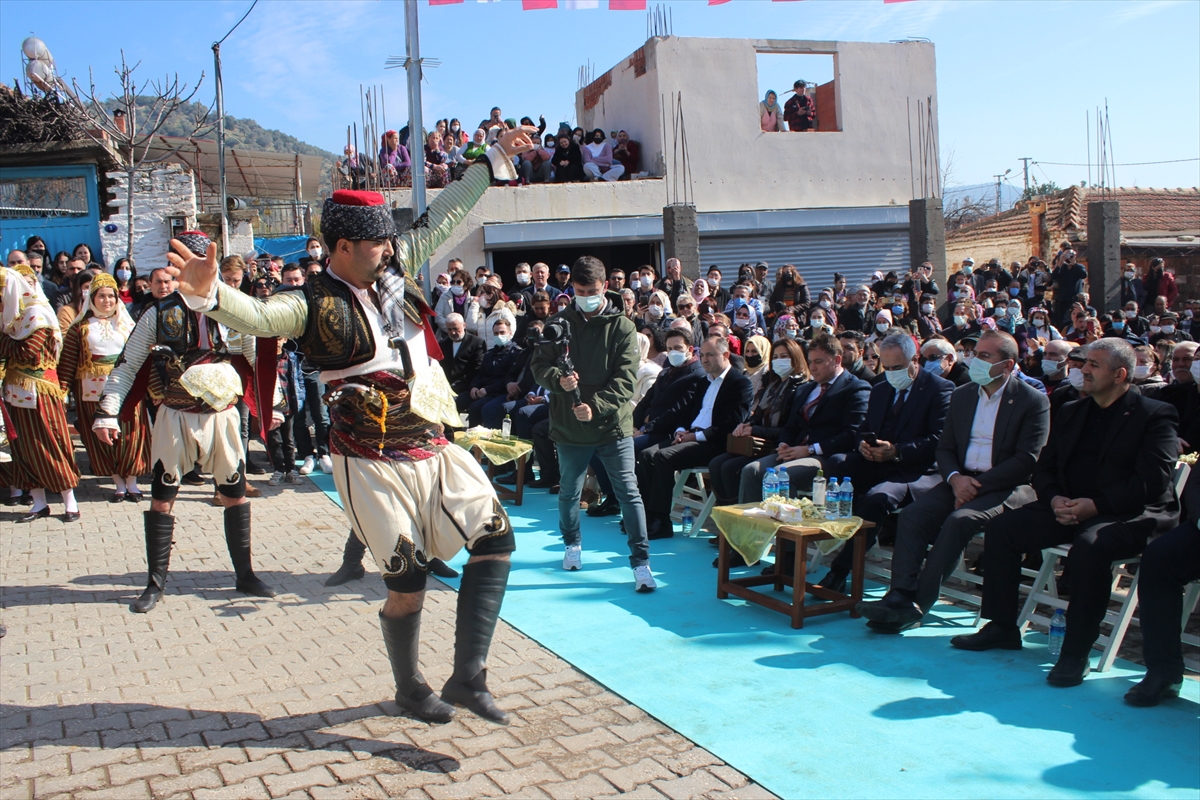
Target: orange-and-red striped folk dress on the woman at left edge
(43,454)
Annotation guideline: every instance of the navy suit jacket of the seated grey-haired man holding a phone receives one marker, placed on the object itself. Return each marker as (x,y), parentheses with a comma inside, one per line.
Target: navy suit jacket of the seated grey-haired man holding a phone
(917,429)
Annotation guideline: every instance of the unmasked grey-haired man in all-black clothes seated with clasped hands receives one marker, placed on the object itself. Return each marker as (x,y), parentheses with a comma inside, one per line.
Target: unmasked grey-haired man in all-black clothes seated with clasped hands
(1105,486)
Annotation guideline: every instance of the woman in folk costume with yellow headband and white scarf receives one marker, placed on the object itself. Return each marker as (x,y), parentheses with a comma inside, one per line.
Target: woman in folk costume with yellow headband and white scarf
(91,350)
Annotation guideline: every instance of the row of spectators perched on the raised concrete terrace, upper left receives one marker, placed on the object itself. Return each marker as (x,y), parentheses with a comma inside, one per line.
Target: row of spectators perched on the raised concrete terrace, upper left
(569,155)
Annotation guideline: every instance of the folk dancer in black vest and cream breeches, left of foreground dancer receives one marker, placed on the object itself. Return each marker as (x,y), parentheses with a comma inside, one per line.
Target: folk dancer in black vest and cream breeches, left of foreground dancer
(182,358)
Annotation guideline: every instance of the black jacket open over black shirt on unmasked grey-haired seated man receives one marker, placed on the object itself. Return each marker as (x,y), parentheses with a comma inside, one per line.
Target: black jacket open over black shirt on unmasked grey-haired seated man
(1136,467)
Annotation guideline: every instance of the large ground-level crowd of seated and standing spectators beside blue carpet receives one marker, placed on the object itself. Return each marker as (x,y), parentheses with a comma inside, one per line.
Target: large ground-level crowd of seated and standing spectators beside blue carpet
(1006,404)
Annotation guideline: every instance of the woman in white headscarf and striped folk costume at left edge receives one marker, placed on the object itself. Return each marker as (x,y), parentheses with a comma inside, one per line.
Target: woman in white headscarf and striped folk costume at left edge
(31,341)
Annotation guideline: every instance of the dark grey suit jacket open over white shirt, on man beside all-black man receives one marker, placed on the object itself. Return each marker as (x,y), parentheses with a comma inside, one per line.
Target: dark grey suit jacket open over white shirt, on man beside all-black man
(1023,424)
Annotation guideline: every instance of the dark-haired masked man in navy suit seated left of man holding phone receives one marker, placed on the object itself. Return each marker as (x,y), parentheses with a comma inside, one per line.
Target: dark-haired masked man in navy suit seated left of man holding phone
(826,417)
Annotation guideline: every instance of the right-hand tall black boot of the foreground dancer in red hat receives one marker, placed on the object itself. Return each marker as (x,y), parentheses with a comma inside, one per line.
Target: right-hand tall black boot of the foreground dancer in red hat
(479,607)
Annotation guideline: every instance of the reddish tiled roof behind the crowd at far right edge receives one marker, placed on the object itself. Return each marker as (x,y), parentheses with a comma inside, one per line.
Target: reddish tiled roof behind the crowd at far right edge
(1143,210)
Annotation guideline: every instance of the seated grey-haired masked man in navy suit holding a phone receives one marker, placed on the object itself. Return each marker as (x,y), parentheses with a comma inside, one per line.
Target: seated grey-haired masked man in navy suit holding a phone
(905,414)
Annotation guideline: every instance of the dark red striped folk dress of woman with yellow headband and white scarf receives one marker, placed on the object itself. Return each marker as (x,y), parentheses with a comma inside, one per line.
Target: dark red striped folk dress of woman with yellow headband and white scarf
(83,374)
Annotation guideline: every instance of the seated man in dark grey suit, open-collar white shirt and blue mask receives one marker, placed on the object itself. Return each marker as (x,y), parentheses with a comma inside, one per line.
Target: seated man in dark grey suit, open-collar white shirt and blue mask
(994,432)
